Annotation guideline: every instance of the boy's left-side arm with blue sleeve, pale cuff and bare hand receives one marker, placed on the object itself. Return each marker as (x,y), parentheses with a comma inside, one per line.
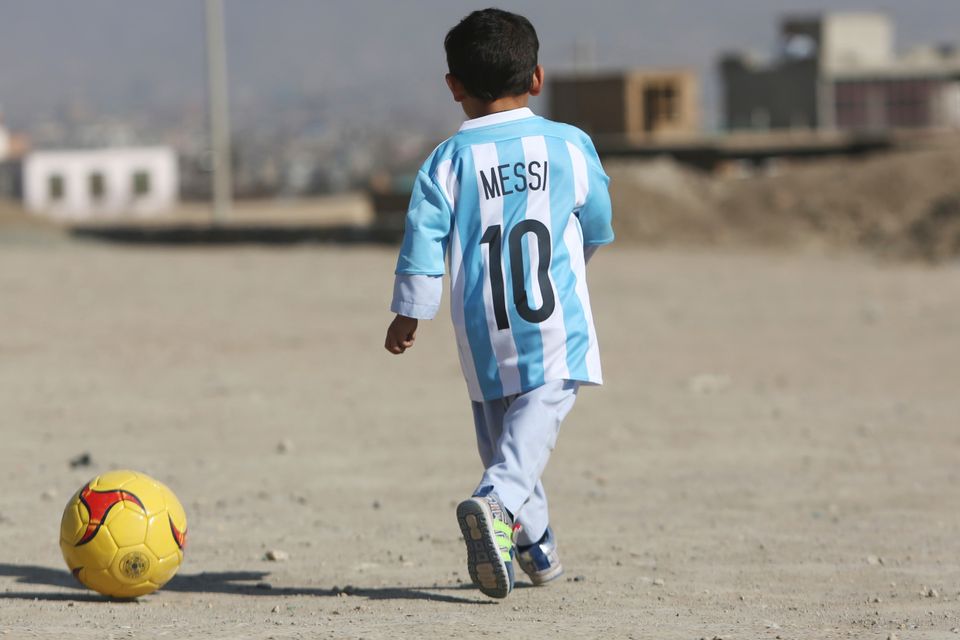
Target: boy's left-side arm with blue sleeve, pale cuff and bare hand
(418,285)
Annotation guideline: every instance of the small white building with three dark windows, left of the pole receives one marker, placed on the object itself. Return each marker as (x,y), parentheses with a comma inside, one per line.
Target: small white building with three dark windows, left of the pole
(85,184)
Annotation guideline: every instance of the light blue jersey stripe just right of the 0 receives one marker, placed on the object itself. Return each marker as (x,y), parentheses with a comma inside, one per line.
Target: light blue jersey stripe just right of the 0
(562,197)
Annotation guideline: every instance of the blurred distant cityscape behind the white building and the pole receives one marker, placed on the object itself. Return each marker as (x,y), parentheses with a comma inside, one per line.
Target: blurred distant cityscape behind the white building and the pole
(294,151)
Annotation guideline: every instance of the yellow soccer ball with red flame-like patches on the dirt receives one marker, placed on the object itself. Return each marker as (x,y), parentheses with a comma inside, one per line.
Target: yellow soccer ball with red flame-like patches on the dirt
(122,534)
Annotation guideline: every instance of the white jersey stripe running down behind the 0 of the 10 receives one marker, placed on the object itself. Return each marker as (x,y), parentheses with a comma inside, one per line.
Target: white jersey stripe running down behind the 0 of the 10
(553,333)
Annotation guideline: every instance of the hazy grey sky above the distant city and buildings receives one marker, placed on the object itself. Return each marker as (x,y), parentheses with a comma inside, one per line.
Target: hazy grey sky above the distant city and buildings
(364,56)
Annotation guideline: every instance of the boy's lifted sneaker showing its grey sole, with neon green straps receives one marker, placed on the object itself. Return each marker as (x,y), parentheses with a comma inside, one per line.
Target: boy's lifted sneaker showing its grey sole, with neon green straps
(488,532)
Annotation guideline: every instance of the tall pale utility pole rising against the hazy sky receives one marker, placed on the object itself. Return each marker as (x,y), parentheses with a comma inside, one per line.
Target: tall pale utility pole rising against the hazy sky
(219,111)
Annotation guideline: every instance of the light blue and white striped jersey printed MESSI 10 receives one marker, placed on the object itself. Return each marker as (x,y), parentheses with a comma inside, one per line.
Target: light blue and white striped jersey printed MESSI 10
(513,199)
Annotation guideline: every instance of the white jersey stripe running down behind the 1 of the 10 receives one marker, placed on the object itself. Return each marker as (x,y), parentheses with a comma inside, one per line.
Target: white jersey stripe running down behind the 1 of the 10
(491,213)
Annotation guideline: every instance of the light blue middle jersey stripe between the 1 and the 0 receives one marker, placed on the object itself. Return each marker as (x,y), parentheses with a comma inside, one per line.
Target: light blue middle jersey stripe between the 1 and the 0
(526,336)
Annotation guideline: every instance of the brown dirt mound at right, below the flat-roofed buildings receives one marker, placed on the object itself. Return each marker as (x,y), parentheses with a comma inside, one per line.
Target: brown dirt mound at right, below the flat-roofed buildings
(904,205)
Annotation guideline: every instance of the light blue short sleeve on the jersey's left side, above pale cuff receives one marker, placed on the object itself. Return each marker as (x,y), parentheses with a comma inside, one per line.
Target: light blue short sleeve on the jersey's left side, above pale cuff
(426,230)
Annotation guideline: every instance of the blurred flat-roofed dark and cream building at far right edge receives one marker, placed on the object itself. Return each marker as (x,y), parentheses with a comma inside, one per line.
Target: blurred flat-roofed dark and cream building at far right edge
(841,71)
